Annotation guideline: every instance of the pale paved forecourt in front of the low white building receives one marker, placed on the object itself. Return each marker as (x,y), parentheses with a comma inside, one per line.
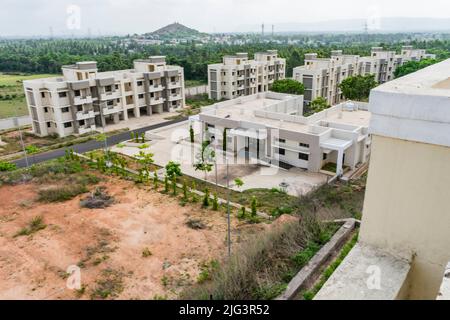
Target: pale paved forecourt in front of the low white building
(172,144)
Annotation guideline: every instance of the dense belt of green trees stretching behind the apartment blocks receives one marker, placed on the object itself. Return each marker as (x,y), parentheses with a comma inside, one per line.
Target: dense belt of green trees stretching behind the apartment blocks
(47,56)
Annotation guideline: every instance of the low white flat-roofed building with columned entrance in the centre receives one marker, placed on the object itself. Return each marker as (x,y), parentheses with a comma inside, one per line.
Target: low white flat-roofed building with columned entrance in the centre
(269,128)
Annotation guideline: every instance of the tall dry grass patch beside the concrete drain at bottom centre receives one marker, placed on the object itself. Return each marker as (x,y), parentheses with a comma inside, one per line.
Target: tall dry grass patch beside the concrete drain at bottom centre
(260,269)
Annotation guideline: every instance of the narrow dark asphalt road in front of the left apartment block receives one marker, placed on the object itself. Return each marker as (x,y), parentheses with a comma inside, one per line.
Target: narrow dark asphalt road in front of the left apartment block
(89,145)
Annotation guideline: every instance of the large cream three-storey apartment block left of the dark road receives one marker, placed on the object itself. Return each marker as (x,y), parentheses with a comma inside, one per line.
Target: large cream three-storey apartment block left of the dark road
(84,100)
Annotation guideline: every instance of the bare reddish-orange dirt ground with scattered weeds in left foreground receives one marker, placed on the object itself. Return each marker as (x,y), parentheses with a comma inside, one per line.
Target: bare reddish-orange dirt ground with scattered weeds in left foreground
(108,244)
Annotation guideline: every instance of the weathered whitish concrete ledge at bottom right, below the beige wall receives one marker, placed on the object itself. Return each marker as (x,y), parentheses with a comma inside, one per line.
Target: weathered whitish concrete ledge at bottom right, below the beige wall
(366,273)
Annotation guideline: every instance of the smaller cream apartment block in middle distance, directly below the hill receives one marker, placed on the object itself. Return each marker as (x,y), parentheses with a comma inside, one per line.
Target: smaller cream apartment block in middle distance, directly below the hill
(238,76)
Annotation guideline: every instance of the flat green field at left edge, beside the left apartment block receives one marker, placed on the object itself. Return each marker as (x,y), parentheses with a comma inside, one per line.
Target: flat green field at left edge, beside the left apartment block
(12,98)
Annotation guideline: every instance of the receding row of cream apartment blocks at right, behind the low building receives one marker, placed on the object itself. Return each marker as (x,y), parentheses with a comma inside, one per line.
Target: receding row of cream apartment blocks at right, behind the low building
(322,76)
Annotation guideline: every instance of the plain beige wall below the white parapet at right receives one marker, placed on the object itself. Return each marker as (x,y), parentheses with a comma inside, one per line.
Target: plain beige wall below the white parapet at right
(407,208)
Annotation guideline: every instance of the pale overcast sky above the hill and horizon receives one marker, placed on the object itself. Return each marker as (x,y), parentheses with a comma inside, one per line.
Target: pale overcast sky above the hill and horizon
(36,17)
